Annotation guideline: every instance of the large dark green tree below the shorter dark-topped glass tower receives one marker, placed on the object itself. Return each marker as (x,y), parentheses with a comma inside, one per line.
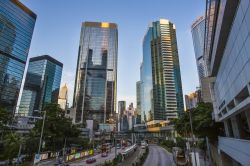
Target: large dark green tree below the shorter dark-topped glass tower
(57,128)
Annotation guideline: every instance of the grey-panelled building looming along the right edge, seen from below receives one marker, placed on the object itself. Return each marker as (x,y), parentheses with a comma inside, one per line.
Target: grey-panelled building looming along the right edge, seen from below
(227,55)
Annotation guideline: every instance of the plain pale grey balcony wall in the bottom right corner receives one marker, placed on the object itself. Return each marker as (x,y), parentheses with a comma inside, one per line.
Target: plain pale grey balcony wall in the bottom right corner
(238,149)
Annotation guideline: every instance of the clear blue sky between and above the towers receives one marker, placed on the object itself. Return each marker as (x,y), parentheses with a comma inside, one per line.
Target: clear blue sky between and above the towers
(57,33)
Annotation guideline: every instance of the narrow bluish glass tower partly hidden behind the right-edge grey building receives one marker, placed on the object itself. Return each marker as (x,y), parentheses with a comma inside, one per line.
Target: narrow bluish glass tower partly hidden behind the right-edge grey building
(198,34)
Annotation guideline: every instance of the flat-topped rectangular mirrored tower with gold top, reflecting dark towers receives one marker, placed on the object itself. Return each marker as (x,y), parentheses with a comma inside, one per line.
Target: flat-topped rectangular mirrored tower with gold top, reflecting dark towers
(96,73)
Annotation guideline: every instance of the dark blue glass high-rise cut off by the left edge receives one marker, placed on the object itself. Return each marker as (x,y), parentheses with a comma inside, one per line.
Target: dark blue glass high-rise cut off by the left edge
(16,28)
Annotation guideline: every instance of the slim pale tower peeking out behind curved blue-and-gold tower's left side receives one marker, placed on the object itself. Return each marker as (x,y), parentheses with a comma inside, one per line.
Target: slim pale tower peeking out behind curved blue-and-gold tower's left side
(138,102)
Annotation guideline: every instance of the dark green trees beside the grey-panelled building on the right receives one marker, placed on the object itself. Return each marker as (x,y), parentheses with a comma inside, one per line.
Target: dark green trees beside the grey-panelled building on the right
(203,125)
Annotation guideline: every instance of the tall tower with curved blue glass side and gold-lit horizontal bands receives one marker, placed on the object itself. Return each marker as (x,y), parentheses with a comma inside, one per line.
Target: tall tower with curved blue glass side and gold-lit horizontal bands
(160,73)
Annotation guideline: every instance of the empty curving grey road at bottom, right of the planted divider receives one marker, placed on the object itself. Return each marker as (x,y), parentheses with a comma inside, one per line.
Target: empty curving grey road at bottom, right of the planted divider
(158,156)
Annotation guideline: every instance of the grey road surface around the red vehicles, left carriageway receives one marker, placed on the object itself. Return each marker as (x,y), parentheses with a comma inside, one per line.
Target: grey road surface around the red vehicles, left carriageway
(99,159)
